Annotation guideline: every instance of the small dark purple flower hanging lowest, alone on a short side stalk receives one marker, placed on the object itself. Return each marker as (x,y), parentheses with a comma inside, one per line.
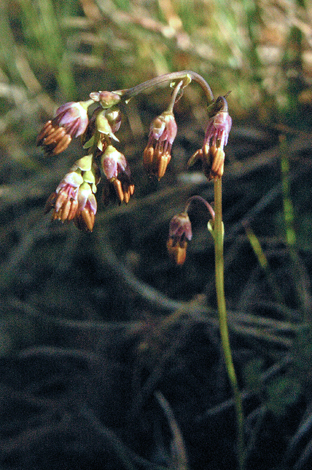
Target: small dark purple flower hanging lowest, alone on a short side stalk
(180,231)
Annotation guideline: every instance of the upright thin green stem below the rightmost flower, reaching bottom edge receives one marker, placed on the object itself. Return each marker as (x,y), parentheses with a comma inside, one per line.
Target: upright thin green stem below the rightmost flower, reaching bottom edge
(223,323)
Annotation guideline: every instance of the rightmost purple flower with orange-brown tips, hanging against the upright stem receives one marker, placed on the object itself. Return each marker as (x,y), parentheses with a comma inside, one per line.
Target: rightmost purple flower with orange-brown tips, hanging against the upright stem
(216,137)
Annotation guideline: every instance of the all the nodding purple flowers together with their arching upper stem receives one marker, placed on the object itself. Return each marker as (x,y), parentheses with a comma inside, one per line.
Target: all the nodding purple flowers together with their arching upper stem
(96,122)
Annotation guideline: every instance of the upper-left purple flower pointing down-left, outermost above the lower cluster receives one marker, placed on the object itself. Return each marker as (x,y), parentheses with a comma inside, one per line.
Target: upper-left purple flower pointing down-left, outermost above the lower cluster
(70,121)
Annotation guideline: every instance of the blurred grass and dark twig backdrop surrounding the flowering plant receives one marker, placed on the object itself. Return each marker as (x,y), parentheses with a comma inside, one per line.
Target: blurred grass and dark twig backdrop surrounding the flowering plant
(107,314)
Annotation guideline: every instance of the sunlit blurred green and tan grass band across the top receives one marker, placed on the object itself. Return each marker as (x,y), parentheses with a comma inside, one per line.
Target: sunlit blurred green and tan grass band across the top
(260,50)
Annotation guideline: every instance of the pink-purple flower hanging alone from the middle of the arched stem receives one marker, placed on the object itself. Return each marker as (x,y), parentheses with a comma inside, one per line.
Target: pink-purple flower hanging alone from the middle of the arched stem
(157,153)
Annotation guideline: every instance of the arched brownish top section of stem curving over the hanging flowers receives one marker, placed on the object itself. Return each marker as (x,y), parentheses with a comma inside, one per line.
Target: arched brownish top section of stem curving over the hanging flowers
(189,75)
